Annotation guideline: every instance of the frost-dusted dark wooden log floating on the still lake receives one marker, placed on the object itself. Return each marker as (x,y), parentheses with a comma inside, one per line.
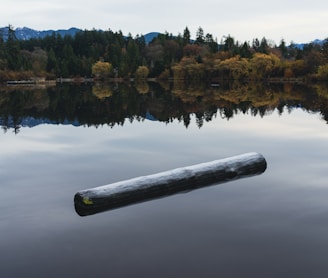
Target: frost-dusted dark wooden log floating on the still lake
(145,188)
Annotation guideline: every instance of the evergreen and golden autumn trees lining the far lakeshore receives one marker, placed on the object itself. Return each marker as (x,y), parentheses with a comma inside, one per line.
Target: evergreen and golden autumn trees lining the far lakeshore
(108,54)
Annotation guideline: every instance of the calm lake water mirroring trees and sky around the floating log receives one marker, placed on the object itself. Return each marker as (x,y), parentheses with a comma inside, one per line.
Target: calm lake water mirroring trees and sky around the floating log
(58,141)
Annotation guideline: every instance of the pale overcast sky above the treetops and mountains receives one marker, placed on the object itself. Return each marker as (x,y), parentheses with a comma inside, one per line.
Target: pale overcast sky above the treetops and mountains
(297,21)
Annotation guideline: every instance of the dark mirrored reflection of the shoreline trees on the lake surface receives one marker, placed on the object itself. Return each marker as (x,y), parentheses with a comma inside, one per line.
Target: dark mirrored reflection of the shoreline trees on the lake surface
(113,104)
